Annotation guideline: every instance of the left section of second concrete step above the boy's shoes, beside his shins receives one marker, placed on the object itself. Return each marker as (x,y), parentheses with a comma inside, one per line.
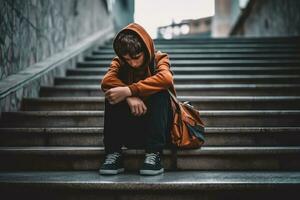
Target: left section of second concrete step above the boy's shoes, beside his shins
(52,136)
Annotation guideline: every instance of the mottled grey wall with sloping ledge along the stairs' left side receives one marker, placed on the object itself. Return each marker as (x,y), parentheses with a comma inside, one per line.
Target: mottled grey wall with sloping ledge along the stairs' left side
(35,31)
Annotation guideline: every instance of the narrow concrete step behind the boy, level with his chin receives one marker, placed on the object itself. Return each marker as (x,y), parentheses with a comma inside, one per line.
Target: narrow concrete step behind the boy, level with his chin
(209,63)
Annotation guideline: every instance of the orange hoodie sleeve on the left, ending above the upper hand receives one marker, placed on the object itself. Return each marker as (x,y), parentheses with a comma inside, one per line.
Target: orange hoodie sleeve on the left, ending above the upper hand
(110,79)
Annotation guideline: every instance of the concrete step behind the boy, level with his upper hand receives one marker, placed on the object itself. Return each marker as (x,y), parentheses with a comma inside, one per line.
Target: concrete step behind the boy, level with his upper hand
(192,90)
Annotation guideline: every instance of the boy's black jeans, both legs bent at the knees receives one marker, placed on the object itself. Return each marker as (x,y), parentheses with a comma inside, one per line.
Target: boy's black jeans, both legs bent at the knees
(150,131)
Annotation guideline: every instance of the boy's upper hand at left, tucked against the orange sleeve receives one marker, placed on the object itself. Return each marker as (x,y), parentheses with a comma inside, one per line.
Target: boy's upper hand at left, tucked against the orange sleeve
(117,94)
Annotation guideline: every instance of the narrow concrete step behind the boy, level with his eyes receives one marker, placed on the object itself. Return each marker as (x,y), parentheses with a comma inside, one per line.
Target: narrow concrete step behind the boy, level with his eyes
(210,56)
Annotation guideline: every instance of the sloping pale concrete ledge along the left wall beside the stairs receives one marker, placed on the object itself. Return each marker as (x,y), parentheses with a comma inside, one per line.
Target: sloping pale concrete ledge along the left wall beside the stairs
(27,82)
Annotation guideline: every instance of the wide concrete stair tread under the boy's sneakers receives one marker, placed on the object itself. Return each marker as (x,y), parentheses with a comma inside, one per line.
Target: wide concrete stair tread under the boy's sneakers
(181,180)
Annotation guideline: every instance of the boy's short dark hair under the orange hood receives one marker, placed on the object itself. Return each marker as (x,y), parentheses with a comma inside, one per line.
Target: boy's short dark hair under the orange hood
(128,42)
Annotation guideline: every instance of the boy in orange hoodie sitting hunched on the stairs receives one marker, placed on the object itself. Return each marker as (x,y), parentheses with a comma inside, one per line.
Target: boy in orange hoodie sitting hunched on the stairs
(138,110)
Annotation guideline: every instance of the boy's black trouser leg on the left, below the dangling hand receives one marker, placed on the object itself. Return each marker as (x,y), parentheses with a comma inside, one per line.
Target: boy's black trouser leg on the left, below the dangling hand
(121,128)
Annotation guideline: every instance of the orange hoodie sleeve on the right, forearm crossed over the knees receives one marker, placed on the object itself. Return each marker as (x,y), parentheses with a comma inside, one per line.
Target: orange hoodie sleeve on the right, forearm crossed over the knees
(163,79)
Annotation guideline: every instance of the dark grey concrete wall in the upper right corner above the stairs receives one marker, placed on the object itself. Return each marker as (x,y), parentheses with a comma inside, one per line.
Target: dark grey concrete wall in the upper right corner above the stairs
(273,18)
